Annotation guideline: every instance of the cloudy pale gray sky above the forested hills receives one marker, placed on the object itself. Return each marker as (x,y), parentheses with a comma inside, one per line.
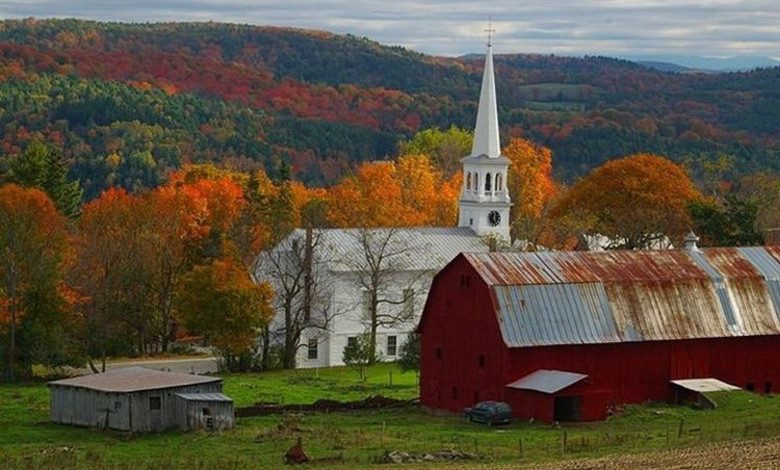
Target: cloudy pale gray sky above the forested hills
(570,27)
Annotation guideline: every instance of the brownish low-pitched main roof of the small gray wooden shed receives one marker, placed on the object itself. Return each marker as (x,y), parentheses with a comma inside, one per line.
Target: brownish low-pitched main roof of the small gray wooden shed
(134,379)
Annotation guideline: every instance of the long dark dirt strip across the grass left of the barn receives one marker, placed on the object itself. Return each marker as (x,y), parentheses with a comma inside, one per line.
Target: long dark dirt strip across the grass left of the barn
(375,402)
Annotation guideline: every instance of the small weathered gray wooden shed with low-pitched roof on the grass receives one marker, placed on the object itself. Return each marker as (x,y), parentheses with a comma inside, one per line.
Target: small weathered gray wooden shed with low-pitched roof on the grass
(139,400)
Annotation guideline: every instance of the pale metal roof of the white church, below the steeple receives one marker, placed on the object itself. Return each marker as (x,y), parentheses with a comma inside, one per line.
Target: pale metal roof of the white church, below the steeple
(412,249)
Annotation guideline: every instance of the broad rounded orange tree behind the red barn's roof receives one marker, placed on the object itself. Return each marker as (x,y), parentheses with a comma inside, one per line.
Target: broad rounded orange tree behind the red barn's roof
(636,201)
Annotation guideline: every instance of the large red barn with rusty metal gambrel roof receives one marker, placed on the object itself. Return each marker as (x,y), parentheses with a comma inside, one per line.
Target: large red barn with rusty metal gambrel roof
(566,335)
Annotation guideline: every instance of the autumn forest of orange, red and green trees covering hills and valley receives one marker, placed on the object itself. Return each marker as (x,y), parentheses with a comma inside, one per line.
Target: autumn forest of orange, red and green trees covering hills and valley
(143,166)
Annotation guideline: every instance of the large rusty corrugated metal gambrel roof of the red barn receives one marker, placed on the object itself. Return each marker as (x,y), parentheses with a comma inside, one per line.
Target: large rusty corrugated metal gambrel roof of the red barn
(605,297)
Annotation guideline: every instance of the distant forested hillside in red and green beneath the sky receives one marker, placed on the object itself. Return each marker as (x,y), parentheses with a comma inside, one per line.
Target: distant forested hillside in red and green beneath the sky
(127,103)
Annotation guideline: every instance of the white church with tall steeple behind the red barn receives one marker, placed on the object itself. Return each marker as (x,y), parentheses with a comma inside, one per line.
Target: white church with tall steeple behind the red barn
(333,285)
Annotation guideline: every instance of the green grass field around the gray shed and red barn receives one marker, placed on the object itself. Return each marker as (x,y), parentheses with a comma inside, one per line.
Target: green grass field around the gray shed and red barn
(28,440)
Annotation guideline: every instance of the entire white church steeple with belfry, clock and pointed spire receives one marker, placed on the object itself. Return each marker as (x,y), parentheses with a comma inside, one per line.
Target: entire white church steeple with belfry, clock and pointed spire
(484,200)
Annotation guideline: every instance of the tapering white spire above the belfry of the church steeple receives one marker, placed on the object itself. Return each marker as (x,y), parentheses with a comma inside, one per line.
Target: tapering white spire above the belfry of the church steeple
(486,140)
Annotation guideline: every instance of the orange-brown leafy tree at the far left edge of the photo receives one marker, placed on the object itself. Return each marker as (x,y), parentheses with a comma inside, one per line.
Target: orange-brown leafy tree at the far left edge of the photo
(33,243)
